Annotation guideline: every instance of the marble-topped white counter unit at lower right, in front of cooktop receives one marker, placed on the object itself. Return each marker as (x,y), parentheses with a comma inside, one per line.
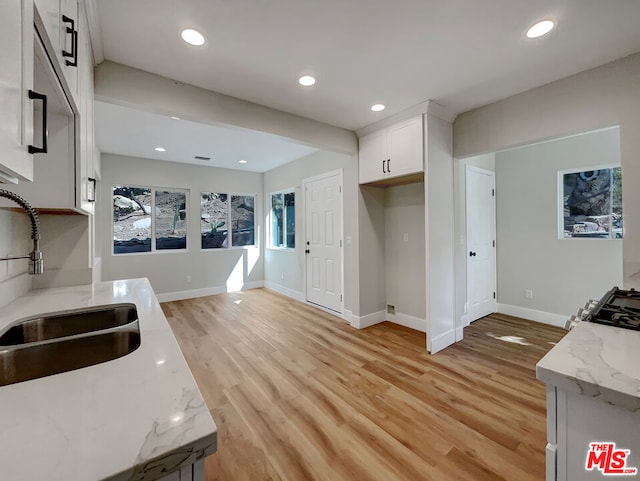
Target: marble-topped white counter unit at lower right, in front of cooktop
(593,396)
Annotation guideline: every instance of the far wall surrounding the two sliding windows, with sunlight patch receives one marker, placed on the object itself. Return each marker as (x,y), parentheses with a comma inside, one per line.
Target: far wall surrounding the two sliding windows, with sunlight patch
(210,270)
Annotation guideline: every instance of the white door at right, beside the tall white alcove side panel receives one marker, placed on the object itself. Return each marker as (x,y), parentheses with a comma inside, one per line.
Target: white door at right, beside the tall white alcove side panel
(481,252)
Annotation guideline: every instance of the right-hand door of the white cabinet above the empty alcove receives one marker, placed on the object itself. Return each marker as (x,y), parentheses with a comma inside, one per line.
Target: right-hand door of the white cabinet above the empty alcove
(405,148)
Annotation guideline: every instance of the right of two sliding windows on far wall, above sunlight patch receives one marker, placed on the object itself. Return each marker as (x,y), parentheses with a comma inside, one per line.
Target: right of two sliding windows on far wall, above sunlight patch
(220,212)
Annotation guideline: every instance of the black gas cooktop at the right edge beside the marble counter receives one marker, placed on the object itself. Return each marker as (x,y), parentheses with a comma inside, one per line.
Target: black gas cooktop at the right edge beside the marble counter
(618,308)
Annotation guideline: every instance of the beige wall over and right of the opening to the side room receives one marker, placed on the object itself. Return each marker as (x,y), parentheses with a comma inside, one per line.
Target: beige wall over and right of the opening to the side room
(605,96)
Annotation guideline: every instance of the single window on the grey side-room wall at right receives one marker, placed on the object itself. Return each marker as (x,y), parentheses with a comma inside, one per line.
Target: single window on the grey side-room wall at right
(591,203)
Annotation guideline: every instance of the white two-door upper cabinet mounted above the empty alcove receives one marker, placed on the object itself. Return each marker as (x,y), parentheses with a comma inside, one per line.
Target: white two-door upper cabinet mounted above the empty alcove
(394,152)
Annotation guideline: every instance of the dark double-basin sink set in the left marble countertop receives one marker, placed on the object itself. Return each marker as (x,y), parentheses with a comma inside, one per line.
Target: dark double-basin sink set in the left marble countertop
(64,341)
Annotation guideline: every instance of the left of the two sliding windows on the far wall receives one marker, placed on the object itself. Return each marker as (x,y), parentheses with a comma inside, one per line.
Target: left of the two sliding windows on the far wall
(139,211)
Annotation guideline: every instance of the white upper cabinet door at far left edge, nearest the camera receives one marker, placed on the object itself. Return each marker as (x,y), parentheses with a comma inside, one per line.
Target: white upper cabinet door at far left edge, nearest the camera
(16,79)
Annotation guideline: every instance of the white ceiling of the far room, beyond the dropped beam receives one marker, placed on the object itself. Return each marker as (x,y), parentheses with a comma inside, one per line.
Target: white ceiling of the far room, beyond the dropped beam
(125,131)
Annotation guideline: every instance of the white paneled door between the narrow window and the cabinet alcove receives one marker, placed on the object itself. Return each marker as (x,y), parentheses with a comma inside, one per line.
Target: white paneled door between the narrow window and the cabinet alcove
(323,244)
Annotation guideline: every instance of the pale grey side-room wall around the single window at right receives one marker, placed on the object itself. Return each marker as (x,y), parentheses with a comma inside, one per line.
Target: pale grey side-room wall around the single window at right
(562,274)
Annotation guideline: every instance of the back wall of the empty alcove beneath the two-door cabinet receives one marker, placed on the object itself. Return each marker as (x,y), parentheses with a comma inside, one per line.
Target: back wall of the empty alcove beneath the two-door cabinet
(404,260)
